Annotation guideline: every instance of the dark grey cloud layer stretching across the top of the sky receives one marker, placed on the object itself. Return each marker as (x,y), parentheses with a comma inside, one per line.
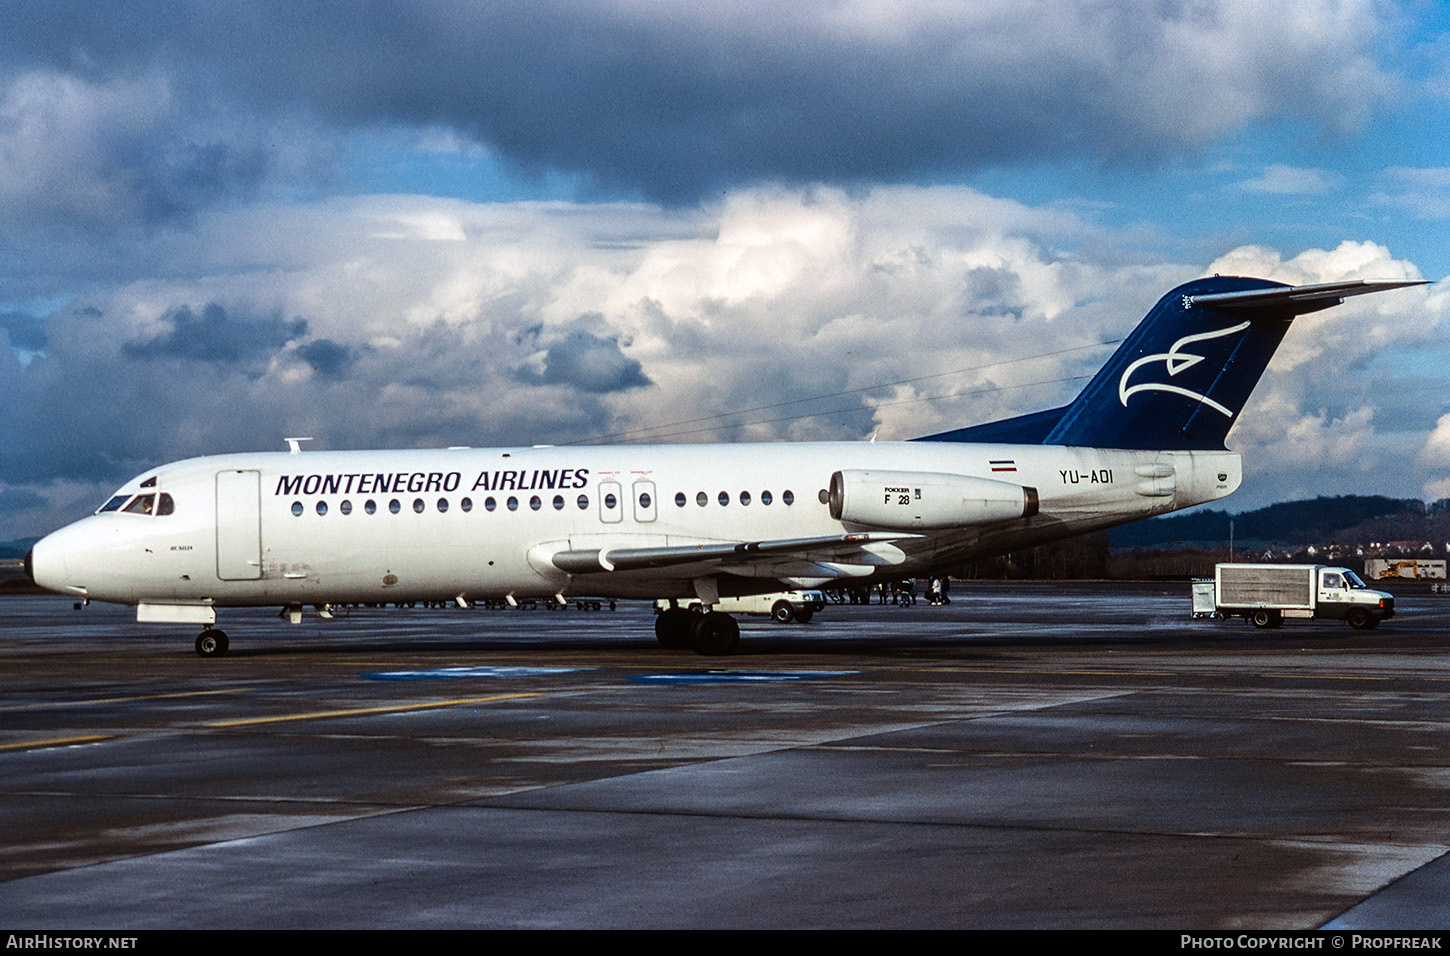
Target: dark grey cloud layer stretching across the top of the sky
(678,101)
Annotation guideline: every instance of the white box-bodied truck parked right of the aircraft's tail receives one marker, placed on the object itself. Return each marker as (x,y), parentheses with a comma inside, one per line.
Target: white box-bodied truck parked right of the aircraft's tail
(1268,594)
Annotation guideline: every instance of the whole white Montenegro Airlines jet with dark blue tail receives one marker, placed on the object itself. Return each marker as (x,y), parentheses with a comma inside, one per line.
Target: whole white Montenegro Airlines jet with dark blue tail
(1146,437)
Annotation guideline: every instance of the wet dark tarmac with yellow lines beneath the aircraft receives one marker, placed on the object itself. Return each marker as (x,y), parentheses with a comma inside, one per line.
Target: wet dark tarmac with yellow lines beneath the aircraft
(1035,755)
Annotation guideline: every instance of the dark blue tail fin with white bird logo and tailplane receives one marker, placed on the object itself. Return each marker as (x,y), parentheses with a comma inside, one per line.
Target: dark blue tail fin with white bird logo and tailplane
(1180,381)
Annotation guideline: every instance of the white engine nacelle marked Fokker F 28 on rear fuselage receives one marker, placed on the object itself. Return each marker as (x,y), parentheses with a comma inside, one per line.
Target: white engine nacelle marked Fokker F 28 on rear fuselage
(908,501)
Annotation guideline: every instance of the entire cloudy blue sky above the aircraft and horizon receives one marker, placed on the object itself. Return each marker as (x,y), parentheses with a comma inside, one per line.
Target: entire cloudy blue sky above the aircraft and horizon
(436,223)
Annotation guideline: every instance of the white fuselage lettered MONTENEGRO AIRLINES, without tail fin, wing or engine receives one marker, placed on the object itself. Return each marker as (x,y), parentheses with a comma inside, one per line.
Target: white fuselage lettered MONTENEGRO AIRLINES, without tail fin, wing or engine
(326,527)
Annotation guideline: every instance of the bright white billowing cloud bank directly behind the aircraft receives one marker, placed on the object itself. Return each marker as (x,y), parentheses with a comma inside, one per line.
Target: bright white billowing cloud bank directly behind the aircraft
(811,314)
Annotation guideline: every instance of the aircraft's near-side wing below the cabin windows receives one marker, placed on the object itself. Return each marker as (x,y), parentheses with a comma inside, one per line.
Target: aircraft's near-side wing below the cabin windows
(834,555)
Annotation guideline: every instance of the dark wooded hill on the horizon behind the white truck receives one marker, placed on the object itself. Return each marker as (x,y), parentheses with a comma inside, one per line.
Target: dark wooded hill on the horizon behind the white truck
(1346,520)
